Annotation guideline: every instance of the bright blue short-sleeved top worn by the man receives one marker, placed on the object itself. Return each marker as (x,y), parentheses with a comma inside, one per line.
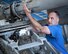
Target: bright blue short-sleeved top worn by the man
(56,38)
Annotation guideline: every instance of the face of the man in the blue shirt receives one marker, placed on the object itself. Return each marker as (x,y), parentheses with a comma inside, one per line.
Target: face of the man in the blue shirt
(53,18)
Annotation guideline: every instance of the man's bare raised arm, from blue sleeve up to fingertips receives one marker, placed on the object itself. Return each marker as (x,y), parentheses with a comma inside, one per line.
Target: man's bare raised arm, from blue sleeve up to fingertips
(39,27)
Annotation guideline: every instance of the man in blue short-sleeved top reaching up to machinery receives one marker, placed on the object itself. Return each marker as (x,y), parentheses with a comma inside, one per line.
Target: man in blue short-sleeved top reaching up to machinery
(53,31)
